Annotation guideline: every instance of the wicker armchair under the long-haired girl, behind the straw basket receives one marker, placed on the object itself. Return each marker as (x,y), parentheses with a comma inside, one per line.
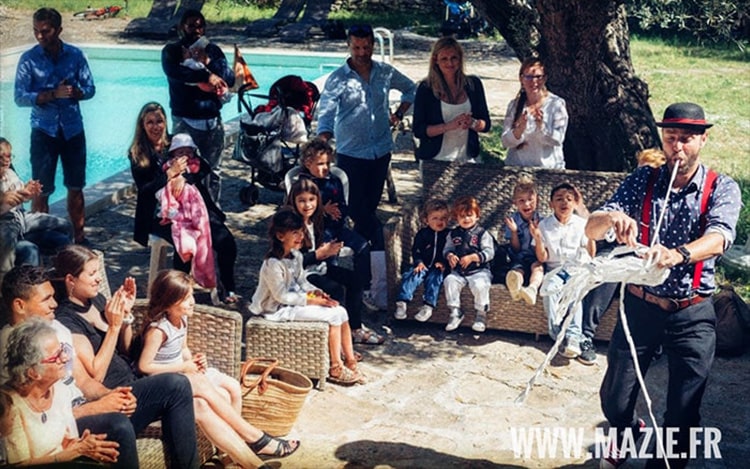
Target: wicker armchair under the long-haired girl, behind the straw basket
(215,332)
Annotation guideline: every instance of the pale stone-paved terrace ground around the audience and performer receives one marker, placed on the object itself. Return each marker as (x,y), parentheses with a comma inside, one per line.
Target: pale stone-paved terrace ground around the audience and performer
(433,399)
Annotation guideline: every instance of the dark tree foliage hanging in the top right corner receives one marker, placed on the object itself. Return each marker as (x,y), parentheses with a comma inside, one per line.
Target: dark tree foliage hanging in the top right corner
(706,21)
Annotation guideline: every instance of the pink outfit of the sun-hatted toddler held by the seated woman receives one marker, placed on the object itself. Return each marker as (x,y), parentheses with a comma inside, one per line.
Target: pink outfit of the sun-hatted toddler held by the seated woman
(191,230)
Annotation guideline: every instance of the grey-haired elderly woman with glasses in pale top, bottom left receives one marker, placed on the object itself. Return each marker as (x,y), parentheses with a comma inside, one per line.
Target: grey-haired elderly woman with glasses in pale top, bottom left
(43,428)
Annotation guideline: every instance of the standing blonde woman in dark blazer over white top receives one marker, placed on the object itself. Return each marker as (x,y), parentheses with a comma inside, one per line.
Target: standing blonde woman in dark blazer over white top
(450,107)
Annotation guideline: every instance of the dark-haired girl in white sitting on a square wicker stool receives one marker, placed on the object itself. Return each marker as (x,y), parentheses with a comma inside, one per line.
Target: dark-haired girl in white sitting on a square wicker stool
(284,294)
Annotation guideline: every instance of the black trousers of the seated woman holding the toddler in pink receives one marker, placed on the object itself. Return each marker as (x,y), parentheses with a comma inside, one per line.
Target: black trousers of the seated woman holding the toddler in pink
(223,244)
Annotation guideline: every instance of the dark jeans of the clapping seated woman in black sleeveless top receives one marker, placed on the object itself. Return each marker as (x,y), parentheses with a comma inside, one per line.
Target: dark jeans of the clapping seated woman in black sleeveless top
(168,397)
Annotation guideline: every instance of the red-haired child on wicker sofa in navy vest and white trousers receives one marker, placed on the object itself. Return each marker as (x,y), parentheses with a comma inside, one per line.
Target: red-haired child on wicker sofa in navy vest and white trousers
(469,248)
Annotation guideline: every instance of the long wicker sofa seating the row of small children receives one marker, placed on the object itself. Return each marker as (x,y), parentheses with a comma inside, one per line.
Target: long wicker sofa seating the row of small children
(492,185)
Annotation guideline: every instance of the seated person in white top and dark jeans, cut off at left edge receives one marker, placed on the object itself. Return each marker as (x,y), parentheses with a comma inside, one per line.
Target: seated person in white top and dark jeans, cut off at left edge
(48,232)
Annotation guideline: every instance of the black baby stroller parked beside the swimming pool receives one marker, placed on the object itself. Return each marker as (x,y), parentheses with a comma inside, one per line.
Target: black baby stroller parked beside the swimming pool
(270,134)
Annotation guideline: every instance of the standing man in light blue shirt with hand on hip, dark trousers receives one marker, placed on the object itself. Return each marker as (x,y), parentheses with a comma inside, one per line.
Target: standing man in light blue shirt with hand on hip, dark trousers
(354,108)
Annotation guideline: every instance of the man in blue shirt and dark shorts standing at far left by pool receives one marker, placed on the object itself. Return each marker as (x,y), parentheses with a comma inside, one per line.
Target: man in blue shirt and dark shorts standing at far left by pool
(51,78)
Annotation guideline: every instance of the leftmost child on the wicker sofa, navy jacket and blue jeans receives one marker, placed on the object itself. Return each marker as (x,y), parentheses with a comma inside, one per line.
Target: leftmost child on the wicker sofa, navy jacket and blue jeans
(427,257)
